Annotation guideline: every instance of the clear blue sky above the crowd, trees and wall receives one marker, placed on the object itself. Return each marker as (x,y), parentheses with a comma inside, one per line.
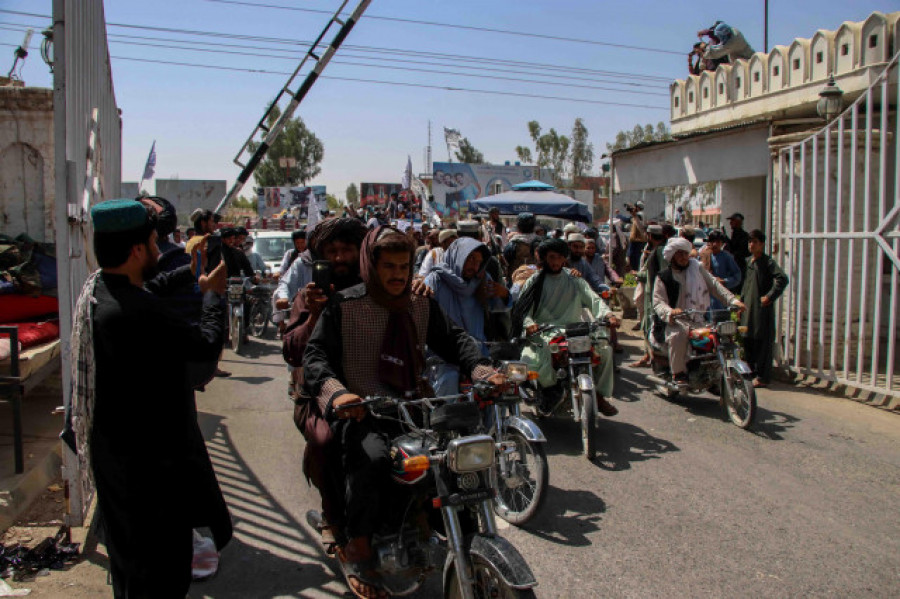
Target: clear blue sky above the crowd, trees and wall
(199,117)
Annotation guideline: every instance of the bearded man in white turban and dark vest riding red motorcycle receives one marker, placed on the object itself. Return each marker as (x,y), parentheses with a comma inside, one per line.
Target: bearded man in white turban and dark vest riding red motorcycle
(685,285)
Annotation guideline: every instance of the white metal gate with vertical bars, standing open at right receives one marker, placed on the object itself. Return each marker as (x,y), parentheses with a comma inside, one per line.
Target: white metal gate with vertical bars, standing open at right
(836,225)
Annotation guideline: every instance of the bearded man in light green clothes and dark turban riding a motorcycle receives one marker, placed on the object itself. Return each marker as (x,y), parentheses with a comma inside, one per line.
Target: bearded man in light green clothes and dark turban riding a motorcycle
(554,296)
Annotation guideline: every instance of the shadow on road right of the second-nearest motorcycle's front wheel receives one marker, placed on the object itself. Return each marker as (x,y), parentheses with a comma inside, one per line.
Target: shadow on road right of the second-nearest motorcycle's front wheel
(567,516)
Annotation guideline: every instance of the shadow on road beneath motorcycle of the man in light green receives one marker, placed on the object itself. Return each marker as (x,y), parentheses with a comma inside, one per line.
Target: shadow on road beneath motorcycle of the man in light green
(619,446)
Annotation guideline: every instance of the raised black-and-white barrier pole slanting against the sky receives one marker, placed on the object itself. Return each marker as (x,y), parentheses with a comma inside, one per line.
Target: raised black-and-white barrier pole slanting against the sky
(272,133)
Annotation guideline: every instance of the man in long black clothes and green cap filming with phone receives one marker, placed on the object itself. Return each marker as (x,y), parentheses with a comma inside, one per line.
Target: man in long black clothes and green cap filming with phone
(133,409)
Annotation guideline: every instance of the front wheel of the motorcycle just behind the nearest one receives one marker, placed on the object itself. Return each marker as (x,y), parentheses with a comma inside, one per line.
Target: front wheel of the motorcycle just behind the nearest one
(521,492)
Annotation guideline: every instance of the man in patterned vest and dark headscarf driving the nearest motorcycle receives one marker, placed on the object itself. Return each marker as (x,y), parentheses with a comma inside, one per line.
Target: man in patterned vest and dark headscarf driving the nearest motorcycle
(368,342)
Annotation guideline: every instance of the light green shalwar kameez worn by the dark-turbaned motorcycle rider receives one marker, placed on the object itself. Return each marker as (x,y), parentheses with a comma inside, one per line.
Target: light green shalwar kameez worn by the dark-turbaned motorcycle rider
(562,301)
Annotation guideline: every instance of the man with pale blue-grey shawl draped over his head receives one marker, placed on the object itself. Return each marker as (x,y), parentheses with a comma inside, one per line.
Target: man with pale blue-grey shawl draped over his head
(467,293)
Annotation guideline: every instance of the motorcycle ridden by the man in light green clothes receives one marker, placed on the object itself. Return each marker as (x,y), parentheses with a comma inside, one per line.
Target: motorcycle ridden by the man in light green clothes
(573,350)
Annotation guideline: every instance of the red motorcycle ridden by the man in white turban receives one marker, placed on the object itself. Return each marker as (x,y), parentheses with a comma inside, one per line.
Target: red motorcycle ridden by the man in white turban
(714,364)
